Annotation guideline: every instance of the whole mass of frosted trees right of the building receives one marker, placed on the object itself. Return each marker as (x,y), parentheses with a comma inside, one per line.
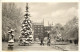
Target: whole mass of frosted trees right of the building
(68,31)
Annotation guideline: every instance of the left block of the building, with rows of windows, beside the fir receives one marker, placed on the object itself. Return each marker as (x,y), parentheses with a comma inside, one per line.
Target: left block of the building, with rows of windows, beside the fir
(38,30)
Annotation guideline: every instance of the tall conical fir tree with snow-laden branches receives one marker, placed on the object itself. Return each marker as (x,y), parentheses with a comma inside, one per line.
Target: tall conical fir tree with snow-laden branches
(26,31)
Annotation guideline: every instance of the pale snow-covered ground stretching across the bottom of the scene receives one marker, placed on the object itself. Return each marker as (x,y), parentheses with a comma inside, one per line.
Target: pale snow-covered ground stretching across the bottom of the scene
(37,47)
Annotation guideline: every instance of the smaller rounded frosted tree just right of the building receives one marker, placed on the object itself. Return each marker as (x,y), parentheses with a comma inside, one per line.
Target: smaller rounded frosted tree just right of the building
(57,29)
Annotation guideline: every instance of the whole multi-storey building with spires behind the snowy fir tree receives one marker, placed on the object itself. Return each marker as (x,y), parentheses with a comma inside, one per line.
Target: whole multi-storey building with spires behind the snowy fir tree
(40,30)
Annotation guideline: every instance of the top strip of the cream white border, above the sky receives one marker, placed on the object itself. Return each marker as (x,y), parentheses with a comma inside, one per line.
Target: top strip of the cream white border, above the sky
(39,0)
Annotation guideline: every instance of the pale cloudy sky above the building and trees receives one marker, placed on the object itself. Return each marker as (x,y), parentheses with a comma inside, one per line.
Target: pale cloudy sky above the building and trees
(52,12)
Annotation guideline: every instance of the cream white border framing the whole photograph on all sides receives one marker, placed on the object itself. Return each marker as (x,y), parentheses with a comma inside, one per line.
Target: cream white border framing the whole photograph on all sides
(34,1)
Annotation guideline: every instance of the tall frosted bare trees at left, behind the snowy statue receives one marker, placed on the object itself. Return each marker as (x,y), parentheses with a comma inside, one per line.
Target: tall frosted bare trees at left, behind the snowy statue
(11,16)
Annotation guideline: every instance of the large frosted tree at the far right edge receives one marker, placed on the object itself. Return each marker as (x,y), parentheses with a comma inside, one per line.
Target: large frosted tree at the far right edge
(71,29)
